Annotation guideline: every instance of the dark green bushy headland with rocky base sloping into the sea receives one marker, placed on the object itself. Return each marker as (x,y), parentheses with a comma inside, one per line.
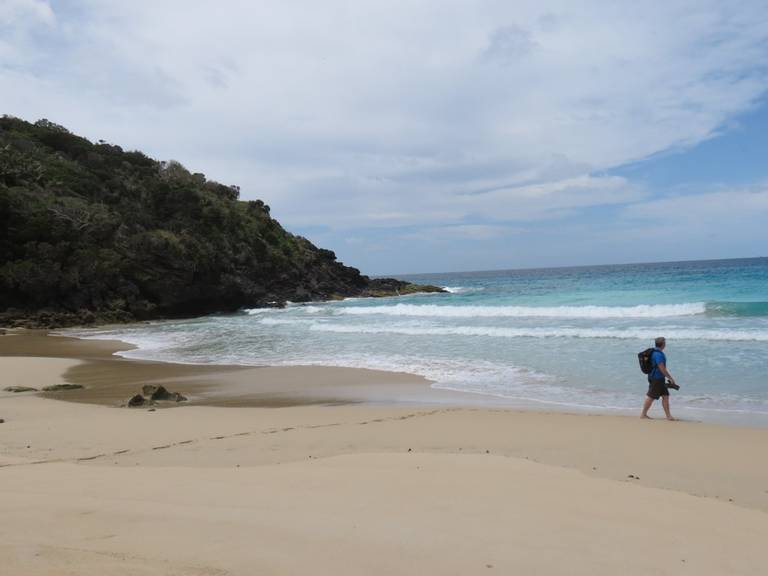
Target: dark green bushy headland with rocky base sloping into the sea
(92,233)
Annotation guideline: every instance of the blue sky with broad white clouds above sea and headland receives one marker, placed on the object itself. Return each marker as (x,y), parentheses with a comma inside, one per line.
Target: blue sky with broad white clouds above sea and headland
(425,136)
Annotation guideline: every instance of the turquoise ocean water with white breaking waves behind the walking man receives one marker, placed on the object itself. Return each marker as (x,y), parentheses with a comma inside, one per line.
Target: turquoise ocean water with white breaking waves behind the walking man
(561,338)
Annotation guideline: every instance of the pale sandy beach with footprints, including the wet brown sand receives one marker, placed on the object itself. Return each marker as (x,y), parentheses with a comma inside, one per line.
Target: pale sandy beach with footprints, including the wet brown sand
(312,470)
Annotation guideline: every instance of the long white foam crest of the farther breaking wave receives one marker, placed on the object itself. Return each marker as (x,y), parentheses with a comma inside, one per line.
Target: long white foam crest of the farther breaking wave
(596,312)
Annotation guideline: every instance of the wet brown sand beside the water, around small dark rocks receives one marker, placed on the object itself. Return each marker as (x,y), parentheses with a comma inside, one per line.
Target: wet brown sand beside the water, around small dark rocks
(110,379)
